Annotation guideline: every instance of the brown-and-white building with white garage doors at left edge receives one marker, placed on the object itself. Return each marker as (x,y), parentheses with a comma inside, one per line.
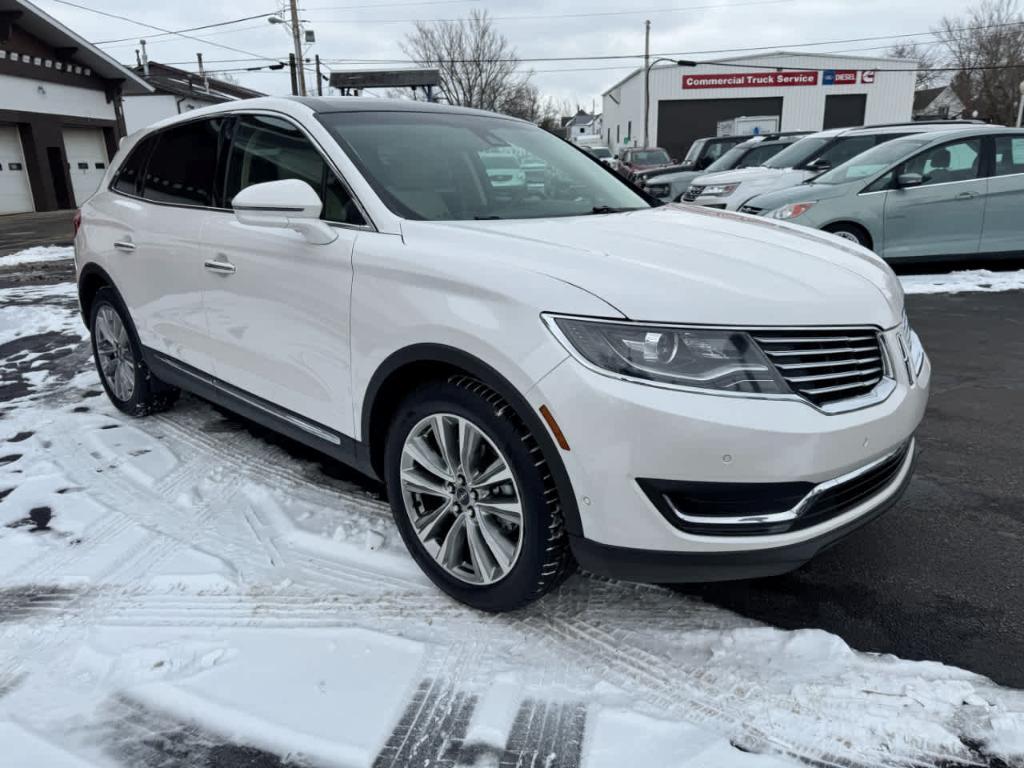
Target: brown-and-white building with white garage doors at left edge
(61,111)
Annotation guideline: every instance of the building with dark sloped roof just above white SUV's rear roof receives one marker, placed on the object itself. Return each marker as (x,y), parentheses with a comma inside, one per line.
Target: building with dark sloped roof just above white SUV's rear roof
(176,92)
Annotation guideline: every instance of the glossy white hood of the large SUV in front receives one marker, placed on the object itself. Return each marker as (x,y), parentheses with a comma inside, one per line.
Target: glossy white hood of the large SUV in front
(687,265)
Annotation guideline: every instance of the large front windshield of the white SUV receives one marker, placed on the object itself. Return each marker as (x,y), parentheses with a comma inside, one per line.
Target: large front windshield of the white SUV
(435,166)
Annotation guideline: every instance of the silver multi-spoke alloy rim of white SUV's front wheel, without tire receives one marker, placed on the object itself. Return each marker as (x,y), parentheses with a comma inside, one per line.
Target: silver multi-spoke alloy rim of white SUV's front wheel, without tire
(462,499)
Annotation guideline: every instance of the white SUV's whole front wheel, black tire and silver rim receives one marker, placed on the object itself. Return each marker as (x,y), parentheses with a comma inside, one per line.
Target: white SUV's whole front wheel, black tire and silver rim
(474,498)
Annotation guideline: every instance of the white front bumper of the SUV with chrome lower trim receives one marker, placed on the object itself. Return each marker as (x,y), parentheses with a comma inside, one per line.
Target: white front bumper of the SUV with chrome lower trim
(622,432)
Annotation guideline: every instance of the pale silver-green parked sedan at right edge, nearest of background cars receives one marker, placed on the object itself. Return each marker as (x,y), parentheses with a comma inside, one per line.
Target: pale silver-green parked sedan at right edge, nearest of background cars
(950,194)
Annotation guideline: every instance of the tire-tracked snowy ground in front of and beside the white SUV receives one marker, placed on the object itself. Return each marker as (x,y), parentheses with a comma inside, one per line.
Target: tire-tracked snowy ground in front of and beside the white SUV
(182,591)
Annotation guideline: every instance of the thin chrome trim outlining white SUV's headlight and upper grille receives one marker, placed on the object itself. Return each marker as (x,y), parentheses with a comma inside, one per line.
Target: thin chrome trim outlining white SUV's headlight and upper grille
(882,392)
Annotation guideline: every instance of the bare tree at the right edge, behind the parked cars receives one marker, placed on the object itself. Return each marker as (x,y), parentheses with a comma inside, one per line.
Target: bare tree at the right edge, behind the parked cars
(987,47)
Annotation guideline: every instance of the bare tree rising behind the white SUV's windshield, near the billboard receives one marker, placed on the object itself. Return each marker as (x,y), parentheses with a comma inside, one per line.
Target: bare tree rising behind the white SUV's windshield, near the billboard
(479,66)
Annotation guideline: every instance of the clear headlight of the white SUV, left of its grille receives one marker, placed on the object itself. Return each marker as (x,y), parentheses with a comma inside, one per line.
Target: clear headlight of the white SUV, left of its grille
(728,361)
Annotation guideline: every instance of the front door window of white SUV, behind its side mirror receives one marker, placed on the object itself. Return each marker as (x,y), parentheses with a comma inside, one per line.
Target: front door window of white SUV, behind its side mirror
(268,149)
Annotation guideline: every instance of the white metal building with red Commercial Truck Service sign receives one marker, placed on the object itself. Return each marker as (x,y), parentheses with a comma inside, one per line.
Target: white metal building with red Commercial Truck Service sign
(807,92)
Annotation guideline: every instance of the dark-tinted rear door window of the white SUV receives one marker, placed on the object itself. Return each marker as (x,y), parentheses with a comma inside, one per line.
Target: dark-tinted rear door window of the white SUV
(184,165)
